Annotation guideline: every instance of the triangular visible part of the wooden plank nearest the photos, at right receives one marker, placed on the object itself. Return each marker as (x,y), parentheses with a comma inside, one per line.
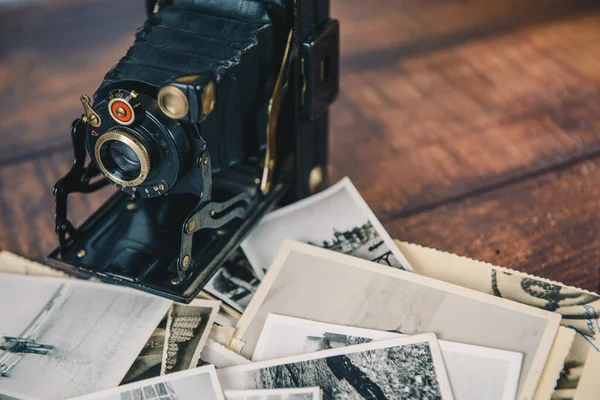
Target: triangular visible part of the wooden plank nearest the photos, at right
(547,225)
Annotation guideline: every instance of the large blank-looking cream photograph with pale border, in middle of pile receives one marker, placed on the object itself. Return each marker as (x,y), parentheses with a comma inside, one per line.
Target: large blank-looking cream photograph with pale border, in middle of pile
(321,285)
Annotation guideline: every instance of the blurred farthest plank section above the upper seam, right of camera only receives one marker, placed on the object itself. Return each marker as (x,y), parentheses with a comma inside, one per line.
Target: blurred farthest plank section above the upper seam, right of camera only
(386,30)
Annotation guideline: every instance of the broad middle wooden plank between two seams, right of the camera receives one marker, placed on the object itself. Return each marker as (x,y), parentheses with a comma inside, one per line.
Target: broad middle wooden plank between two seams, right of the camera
(443,124)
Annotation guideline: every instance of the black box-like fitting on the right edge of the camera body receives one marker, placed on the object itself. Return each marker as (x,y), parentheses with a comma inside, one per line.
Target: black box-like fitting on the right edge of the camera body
(320,70)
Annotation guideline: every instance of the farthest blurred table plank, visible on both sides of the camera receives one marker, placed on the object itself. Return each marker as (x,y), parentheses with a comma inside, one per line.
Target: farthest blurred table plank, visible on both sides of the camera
(52,51)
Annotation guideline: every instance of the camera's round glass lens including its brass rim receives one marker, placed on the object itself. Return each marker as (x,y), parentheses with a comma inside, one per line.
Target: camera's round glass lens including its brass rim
(122,158)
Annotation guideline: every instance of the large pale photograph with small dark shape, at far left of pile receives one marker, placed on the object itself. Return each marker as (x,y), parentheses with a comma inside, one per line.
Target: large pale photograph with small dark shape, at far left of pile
(63,338)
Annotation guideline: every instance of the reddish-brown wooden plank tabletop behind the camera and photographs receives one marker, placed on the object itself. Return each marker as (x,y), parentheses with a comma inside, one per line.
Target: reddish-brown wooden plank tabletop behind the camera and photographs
(468,126)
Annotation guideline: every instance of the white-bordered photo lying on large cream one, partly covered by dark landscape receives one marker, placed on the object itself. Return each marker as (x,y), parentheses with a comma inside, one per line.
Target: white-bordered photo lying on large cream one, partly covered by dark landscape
(475,372)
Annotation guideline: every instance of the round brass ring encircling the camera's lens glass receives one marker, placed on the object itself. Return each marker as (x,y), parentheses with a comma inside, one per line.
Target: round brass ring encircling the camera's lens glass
(138,148)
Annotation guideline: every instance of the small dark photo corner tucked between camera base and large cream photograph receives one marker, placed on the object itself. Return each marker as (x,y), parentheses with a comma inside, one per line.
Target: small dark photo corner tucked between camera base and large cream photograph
(235,282)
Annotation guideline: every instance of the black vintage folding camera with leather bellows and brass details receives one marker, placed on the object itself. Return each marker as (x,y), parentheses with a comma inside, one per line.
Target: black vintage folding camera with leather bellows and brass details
(216,114)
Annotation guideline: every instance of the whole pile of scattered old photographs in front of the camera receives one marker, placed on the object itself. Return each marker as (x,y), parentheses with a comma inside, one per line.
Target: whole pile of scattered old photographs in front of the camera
(319,303)
